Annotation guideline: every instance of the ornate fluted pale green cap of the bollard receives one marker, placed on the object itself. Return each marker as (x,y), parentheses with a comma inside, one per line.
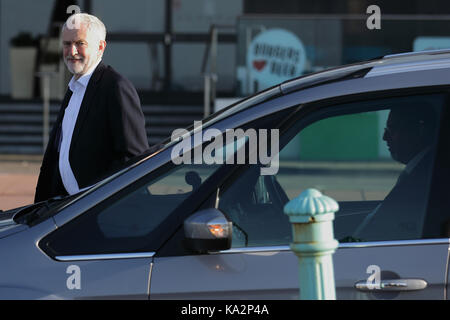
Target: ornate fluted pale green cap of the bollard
(311,206)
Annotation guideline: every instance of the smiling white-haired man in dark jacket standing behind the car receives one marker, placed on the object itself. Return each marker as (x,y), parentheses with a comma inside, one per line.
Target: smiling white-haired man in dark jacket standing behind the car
(100,125)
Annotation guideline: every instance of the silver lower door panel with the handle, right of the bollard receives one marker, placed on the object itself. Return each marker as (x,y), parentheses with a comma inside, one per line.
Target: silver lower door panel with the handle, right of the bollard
(397,260)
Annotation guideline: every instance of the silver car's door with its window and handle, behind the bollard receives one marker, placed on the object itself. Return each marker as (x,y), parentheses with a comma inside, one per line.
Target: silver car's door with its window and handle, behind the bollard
(393,243)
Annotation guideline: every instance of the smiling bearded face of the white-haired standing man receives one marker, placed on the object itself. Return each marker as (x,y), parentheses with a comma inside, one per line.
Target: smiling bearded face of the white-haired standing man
(81,49)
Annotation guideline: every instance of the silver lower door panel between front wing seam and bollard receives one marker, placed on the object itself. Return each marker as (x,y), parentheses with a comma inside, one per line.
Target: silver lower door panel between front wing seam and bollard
(267,274)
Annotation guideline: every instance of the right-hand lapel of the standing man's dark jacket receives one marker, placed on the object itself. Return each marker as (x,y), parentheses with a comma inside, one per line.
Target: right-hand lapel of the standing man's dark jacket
(87,101)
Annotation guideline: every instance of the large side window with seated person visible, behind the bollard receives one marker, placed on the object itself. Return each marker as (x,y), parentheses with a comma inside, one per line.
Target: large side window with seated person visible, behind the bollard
(374,157)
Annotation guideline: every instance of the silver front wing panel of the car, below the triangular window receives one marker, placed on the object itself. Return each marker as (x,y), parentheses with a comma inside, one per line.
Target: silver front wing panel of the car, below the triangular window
(32,274)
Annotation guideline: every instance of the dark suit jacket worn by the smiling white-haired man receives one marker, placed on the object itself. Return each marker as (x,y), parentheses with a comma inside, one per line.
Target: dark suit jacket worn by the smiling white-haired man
(110,129)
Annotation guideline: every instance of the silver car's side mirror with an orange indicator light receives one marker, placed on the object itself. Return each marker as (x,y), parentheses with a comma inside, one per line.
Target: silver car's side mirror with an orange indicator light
(207,230)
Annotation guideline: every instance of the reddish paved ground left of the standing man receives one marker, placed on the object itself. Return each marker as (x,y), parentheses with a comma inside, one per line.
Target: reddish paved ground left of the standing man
(18,177)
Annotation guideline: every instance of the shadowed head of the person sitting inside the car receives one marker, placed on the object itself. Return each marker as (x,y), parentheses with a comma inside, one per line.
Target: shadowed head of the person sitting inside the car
(403,139)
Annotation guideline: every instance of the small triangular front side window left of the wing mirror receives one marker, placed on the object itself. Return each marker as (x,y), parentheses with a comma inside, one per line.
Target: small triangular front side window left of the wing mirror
(125,223)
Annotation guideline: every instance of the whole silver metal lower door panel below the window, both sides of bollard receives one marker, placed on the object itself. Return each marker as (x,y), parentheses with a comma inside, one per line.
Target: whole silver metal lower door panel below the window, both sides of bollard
(272,273)
